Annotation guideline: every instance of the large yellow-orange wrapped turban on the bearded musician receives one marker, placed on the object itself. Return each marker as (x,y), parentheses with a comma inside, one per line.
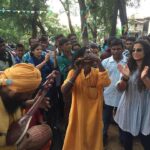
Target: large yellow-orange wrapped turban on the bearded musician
(25,77)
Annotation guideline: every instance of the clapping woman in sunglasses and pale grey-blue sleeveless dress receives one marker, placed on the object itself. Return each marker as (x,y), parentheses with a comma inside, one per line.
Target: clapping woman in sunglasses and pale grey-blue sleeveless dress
(133,113)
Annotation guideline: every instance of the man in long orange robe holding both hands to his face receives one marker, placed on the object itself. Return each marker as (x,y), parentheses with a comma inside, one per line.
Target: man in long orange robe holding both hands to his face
(86,82)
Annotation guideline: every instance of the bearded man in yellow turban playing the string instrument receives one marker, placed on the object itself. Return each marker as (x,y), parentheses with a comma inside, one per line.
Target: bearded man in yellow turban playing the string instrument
(17,84)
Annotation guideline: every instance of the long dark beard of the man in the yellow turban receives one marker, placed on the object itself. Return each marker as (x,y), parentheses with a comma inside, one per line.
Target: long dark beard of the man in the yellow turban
(11,103)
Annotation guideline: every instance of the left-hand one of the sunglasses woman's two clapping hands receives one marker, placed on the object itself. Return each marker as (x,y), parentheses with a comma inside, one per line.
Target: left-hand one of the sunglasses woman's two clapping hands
(124,70)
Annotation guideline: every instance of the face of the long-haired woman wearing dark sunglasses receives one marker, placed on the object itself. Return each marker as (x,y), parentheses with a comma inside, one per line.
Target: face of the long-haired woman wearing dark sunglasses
(137,52)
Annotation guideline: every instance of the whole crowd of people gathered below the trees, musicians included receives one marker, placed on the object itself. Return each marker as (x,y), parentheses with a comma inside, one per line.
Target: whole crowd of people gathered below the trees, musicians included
(88,88)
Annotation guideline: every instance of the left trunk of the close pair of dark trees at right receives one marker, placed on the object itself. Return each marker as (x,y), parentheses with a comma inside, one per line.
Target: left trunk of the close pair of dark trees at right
(114,18)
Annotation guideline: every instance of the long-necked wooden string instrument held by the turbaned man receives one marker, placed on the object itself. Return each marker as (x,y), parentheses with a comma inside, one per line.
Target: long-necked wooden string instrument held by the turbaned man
(18,129)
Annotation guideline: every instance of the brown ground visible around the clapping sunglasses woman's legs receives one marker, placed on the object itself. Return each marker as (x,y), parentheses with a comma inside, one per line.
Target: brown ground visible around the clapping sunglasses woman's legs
(113,140)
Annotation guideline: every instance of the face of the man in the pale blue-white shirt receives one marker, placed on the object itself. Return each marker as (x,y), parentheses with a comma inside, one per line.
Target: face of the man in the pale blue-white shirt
(116,51)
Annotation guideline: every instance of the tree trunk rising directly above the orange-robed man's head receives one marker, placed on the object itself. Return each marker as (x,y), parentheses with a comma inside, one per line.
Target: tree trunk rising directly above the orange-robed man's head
(84,28)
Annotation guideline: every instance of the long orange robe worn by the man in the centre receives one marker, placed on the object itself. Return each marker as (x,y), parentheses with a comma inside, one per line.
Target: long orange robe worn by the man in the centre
(85,127)
